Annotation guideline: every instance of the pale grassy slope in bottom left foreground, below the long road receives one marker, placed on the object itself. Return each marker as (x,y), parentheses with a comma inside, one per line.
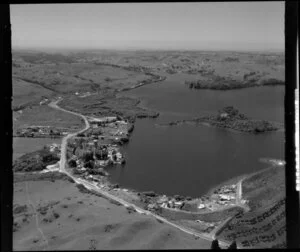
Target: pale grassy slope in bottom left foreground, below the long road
(71,220)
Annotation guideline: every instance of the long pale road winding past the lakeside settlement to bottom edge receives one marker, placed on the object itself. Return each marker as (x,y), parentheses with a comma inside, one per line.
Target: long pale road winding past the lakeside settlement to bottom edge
(108,195)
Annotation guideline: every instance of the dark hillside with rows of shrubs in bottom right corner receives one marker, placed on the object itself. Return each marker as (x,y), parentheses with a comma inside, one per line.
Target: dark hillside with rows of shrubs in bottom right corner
(264,225)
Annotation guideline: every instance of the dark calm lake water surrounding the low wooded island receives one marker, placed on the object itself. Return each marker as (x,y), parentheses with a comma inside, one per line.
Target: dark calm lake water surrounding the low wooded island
(189,160)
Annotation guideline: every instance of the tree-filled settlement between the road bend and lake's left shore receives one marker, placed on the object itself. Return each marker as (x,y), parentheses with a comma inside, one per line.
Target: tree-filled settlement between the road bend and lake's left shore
(97,148)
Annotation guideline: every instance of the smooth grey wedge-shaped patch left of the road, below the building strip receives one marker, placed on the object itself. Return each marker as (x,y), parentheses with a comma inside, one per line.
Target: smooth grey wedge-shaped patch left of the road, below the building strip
(22,145)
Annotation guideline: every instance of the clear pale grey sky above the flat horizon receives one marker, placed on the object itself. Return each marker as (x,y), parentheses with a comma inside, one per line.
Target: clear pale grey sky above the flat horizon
(249,26)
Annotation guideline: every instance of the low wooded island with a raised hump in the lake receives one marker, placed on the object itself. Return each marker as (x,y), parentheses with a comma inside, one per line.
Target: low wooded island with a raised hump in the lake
(230,118)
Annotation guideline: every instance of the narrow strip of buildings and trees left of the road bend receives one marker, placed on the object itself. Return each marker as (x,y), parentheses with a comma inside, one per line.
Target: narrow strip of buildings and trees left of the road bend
(40,131)
